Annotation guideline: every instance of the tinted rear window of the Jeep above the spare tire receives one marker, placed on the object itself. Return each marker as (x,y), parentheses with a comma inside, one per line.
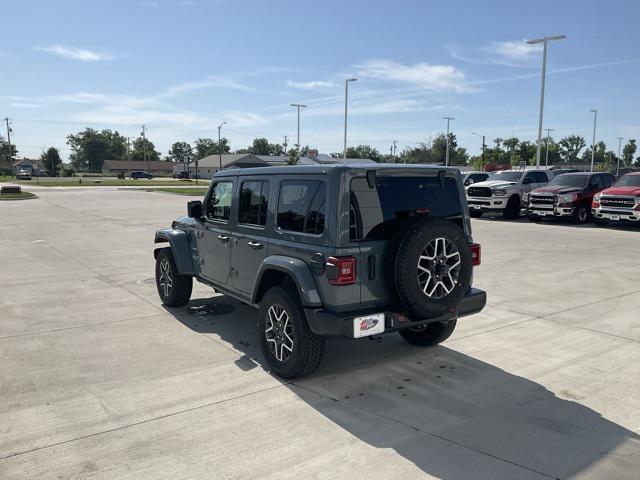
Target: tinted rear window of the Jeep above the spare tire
(376,212)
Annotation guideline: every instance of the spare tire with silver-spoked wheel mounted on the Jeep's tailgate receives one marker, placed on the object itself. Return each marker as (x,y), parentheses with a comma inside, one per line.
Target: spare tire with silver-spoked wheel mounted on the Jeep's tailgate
(429,267)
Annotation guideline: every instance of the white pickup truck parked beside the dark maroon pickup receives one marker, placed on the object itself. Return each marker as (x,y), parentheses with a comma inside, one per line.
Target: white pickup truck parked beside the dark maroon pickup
(504,191)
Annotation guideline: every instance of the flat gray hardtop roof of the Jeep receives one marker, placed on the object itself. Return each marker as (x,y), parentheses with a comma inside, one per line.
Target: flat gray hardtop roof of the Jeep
(326,169)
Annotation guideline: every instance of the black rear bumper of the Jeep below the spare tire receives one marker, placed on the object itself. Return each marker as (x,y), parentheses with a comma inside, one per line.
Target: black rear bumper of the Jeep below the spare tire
(325,323)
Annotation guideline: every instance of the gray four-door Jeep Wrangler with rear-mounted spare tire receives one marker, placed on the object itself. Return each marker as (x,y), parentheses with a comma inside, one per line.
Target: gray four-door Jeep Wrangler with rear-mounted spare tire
(349,251)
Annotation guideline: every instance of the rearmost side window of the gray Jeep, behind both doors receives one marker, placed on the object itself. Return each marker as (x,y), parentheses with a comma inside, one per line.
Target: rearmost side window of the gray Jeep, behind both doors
(301,206)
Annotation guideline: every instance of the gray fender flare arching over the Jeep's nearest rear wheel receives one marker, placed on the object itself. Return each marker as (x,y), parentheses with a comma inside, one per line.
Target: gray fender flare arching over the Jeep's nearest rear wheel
(298,270)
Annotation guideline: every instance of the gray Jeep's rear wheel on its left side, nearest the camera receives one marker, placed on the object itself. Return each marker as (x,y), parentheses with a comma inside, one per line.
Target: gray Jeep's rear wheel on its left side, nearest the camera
(291,349)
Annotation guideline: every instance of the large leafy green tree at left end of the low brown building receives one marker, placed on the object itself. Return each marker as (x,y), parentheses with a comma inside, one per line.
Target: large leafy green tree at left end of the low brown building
(90,148)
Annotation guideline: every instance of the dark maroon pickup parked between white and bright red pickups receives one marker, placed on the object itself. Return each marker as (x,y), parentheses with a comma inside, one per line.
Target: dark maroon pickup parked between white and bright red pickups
(567,196)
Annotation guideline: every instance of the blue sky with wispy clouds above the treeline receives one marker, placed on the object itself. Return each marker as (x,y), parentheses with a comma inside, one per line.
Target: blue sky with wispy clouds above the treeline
(183,66)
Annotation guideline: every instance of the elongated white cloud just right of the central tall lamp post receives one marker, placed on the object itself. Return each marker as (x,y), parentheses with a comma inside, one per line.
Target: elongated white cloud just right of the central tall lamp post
(424,75)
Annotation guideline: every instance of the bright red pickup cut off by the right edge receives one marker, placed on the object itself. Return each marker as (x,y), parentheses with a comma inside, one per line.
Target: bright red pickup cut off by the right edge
(618,203)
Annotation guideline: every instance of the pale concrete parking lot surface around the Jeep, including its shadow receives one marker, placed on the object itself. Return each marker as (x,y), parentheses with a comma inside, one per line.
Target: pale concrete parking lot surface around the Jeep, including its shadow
(98,380)
